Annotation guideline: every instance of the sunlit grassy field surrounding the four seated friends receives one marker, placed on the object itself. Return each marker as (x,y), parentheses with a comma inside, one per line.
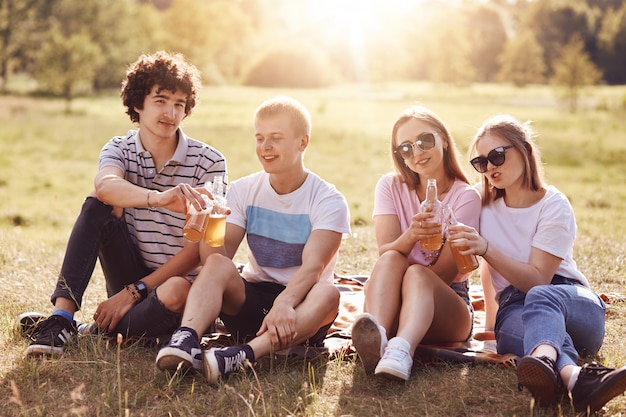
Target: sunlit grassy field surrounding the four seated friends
(47,165)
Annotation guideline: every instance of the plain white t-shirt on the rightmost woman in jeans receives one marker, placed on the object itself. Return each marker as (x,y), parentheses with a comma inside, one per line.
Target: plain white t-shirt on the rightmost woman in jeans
(548,225)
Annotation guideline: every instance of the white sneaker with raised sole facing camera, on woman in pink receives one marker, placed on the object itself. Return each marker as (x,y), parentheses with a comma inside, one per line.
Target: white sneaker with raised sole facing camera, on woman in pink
(369,340)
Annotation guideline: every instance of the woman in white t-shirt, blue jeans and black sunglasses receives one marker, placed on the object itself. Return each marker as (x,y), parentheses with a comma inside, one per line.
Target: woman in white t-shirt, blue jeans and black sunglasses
(547,313)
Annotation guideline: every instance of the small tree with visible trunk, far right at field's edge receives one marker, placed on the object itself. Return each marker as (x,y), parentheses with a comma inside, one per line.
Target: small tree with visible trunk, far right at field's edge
(573,70)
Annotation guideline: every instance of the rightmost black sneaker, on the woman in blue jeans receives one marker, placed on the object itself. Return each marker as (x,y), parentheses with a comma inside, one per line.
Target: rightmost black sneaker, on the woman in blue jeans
(597,385)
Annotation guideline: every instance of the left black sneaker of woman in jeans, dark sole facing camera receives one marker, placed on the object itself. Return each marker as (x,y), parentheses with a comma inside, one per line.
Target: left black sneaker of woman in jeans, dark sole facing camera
(541,377)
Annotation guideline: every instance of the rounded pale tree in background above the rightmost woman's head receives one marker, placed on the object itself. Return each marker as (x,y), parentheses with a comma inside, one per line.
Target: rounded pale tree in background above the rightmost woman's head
(522,61)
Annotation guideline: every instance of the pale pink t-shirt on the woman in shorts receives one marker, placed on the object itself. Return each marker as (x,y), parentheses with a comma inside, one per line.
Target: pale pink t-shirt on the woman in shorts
(394,197)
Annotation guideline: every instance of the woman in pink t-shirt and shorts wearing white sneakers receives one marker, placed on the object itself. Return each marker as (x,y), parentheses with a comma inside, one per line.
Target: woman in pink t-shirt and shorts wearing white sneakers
(415,295)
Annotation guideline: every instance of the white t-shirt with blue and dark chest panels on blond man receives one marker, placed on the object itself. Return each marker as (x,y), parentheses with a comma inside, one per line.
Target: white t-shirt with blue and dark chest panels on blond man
(279,225)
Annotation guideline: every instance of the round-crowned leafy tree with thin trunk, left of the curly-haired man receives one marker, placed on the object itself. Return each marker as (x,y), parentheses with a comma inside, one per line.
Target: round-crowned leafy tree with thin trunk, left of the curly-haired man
(66,62)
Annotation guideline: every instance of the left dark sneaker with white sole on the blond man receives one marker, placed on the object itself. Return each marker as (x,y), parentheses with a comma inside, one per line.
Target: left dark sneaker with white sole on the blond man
(183,352)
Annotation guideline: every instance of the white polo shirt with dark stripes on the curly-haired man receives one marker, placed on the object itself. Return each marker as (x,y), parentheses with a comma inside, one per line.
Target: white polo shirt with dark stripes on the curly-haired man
(157,232)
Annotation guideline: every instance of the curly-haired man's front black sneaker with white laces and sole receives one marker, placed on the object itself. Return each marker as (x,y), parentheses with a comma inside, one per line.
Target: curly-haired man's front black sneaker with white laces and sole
(53,334)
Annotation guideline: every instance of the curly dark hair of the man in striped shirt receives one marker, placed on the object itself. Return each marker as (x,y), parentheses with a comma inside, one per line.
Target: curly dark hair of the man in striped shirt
(169,71)
